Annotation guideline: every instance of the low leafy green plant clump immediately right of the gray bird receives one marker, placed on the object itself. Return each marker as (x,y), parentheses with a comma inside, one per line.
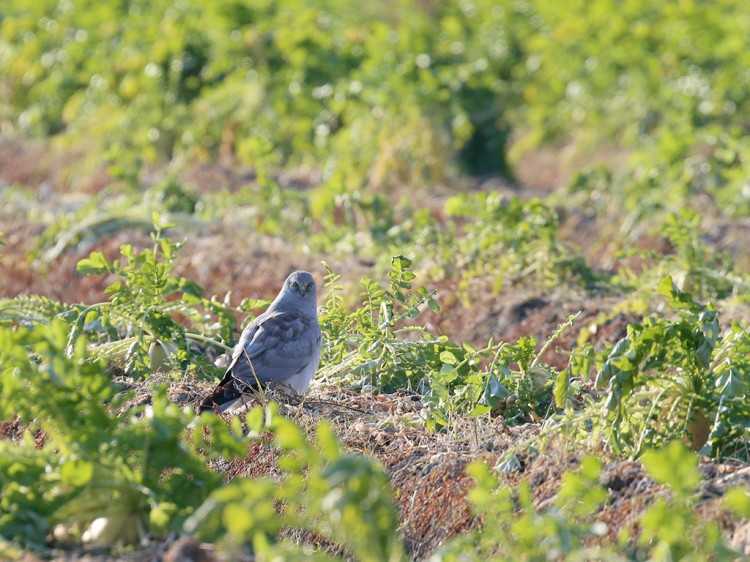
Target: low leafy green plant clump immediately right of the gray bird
(368,347)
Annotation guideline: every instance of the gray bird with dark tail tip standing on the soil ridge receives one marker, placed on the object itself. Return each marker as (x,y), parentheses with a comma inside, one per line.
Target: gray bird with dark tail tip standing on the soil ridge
(282,346)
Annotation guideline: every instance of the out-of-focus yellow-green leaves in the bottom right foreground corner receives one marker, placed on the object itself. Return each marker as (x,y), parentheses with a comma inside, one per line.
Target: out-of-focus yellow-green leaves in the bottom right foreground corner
(570,528)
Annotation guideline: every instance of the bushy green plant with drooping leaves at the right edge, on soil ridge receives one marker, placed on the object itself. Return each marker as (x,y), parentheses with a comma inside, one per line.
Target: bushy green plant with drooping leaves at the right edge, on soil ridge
(676,378)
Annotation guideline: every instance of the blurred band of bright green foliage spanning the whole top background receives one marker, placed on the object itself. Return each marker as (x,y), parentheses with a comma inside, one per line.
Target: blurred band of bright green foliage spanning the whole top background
(398,92)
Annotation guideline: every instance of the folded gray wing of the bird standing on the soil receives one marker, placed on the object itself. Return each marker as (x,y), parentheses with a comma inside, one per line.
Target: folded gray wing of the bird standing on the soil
(281,345)
